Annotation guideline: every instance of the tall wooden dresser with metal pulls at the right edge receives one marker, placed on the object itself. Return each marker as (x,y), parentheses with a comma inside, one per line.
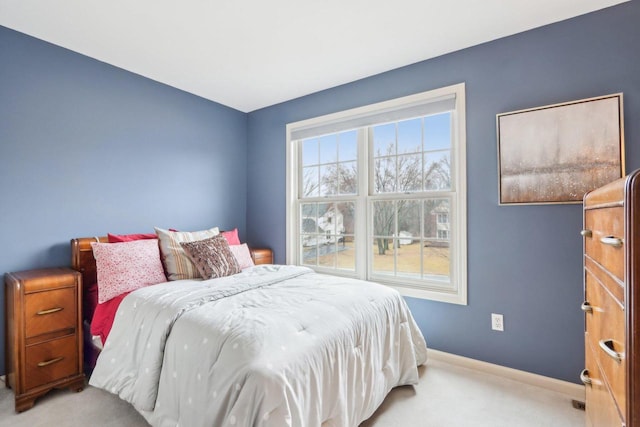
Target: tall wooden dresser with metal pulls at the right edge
(611,303)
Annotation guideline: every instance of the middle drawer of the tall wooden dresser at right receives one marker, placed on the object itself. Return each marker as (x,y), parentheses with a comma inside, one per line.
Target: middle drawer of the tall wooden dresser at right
(605,329)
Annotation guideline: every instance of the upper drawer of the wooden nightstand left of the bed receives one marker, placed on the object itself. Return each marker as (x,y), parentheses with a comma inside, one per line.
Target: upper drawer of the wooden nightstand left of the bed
(50,311)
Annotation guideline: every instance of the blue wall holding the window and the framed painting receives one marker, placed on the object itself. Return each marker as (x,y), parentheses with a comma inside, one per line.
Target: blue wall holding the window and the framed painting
(523,261)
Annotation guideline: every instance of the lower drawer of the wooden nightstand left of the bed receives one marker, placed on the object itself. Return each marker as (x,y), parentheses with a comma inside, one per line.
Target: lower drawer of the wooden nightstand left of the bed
(51,361)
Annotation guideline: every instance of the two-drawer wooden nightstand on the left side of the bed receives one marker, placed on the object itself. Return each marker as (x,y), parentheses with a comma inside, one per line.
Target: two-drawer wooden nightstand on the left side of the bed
(44,333)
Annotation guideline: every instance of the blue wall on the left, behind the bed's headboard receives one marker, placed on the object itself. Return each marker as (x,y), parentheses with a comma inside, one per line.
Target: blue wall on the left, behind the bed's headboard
(87,148)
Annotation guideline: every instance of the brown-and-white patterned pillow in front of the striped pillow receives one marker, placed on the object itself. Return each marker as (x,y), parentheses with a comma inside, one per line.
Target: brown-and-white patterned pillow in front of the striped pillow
(212,257)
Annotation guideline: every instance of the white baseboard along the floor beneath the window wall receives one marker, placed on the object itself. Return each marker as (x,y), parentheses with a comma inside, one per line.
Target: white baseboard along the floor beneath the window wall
(573,391)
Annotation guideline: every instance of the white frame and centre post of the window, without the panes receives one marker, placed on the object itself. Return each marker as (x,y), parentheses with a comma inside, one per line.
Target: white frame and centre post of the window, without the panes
(457,292)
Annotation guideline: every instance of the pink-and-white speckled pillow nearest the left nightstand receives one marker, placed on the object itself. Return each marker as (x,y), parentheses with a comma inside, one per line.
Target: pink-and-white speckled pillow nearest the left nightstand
(126,266)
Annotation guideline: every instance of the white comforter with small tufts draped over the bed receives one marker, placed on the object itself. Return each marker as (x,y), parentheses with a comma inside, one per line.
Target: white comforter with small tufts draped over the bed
(271,346)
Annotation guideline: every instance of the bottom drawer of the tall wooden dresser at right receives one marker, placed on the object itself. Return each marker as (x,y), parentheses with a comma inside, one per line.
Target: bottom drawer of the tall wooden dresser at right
(600,410)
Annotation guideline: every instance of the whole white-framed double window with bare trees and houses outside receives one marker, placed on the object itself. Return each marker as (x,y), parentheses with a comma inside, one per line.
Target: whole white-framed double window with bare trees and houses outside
(379,193)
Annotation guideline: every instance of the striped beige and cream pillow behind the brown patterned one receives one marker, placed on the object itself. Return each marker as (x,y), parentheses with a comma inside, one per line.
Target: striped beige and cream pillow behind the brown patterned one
(176,263)
